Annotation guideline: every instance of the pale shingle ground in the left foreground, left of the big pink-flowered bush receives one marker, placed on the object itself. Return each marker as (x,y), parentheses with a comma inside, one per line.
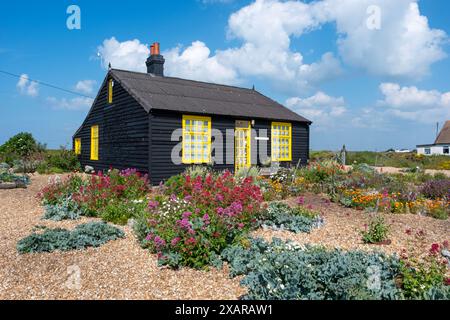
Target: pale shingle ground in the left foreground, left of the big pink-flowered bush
(117,270)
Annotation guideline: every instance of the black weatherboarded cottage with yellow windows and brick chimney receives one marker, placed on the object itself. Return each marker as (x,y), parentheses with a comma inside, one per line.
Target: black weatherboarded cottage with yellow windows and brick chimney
(135,117)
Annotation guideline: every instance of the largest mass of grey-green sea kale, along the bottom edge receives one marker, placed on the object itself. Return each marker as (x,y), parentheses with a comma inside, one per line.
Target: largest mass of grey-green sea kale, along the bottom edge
(285,271)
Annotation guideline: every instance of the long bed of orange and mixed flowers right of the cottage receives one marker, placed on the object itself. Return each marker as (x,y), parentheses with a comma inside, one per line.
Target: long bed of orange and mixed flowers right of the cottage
(363,188)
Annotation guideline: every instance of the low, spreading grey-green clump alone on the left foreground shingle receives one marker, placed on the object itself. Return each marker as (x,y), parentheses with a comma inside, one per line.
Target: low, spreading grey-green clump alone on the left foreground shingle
(92,234)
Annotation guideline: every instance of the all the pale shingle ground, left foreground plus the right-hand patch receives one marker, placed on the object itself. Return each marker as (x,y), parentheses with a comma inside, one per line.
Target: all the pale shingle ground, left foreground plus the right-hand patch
(122,270)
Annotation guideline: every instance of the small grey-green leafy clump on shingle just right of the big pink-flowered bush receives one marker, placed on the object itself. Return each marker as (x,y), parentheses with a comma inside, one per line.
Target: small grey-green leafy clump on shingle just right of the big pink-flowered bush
(280,216)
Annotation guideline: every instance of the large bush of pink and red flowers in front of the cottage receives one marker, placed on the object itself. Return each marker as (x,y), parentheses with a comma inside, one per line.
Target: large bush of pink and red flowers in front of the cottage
(191,228)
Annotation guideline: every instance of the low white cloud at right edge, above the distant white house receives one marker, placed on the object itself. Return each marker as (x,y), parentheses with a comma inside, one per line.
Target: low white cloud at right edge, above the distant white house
(414,104)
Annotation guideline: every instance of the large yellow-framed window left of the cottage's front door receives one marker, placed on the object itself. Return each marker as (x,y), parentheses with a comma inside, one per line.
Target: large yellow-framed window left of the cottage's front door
(196,146)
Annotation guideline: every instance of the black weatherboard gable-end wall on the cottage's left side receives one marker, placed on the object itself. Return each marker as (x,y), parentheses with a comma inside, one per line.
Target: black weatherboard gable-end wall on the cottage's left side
(123,131)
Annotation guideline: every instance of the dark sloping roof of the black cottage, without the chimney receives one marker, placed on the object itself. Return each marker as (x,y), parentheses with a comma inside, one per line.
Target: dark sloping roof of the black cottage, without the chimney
(174,94)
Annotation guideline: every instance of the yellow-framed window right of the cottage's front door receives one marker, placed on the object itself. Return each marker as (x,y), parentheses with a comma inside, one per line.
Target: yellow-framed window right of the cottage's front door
(281,141)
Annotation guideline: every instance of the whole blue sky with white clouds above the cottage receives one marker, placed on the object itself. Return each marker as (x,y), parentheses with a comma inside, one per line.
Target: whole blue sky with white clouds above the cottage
(371,88)
